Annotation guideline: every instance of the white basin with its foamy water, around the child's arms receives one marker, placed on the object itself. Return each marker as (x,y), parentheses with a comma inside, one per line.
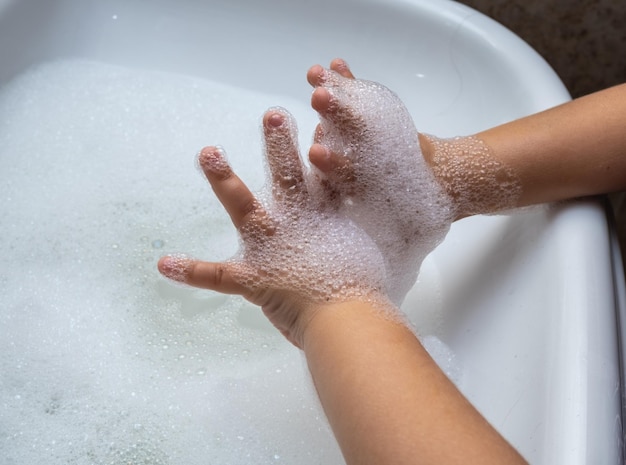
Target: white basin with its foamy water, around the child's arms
(103,106)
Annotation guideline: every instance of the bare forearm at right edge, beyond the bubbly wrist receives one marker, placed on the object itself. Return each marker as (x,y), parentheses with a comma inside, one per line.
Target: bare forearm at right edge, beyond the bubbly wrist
(573,150)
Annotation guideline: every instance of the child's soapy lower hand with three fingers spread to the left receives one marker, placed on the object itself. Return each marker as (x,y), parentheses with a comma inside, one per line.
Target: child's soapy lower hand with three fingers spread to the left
(296,251)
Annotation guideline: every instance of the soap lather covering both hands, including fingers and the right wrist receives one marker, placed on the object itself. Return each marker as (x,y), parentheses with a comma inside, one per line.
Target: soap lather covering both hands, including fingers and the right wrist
(362,230)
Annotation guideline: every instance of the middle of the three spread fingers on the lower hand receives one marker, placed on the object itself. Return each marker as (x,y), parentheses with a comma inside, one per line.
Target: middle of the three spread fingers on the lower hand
(241,205)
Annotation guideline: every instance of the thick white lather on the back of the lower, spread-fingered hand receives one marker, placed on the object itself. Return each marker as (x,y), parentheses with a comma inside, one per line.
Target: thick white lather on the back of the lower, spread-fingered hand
(333,262)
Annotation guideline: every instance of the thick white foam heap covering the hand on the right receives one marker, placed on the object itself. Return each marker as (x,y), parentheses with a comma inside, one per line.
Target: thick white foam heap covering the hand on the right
(394,195)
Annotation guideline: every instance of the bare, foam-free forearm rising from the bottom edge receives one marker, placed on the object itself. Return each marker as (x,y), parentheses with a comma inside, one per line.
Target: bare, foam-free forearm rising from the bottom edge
(386,399)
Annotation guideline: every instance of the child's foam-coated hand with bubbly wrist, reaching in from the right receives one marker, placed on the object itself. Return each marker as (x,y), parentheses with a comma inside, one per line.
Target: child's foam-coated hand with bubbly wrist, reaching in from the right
(404,188)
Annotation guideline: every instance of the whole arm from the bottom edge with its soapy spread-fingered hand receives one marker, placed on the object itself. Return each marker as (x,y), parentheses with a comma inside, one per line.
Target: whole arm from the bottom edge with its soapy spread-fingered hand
(386,399)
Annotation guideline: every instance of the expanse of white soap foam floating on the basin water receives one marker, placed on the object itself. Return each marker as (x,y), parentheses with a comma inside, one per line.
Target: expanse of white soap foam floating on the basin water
(102,361)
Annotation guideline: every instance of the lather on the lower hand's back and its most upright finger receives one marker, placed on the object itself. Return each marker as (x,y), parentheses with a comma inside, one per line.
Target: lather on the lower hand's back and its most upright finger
(295,240)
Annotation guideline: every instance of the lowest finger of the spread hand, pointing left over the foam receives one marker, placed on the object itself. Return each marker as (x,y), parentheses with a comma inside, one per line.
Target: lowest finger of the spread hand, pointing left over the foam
(206,275)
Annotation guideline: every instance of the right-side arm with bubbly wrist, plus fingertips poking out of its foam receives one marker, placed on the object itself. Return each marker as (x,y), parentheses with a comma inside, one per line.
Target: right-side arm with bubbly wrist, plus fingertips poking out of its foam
(572,150)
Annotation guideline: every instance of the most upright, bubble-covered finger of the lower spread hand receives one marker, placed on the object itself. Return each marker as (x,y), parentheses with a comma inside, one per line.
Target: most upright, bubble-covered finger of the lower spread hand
(283,156)
